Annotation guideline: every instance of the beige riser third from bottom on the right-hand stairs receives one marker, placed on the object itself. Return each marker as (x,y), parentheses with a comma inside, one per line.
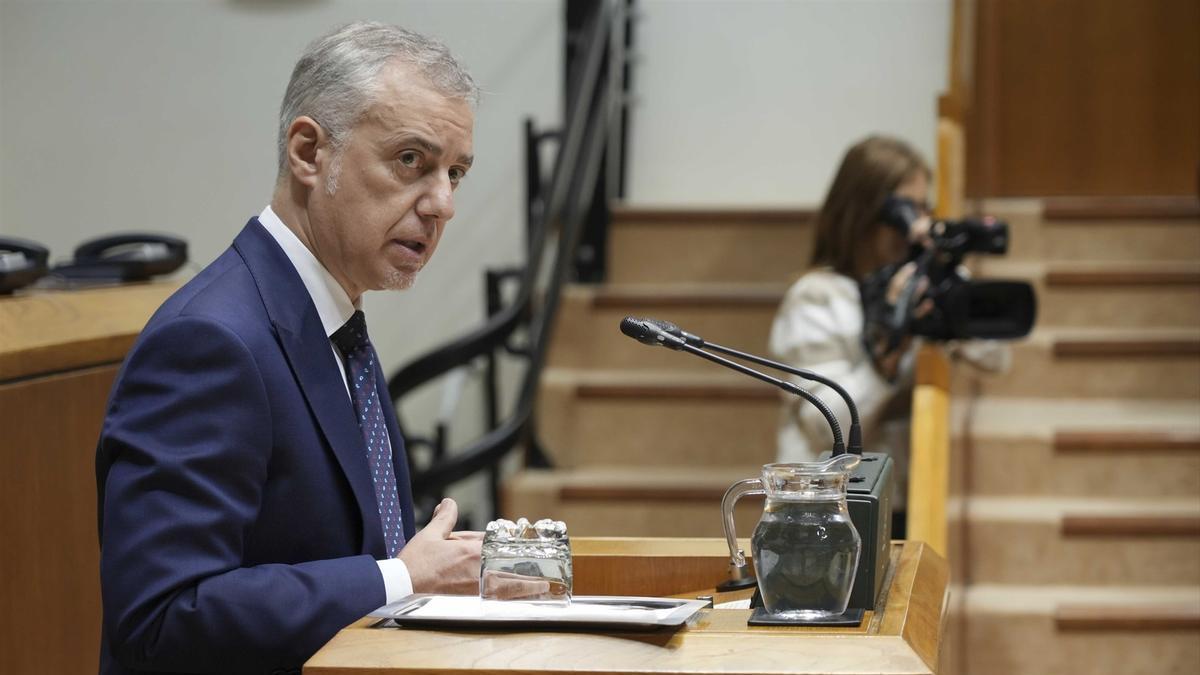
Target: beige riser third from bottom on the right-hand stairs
(1031,467)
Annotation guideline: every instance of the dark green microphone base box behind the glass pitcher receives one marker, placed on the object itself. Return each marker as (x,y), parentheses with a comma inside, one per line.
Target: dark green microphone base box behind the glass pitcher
(869,500)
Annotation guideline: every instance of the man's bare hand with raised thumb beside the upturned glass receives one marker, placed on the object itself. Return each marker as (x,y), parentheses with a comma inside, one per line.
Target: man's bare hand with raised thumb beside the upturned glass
(443,561)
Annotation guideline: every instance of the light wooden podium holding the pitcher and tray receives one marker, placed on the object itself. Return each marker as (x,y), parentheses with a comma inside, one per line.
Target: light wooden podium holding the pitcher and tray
(902,636)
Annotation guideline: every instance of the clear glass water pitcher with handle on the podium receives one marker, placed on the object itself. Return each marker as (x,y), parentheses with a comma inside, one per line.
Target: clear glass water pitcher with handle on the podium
(806,548)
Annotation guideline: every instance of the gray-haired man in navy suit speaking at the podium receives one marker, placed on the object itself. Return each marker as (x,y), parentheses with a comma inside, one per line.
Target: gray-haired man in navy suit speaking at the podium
(253,499)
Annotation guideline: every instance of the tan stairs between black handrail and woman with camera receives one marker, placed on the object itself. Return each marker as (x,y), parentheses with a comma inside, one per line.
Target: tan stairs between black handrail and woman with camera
(646,441)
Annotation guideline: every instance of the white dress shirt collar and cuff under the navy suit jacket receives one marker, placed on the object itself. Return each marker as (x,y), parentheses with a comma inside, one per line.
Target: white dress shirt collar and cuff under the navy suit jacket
(334,308)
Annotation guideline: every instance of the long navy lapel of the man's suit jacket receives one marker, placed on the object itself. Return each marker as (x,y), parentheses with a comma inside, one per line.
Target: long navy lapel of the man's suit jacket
(310,355)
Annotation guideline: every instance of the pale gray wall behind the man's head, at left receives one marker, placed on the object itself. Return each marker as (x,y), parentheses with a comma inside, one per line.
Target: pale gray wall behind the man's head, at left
(161,116)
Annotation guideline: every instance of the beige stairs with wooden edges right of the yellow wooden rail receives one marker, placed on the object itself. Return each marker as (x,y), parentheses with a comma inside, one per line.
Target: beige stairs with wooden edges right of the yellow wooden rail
(1078,479)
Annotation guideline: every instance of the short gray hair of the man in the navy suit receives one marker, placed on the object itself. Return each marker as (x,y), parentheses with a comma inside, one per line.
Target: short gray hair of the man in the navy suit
(335,81)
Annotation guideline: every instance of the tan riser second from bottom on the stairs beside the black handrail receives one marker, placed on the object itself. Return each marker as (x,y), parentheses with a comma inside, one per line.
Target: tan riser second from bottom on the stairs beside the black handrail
(656,431)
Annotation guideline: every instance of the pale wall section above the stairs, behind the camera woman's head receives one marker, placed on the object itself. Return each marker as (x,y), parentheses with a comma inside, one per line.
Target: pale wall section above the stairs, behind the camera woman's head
(754,103)
